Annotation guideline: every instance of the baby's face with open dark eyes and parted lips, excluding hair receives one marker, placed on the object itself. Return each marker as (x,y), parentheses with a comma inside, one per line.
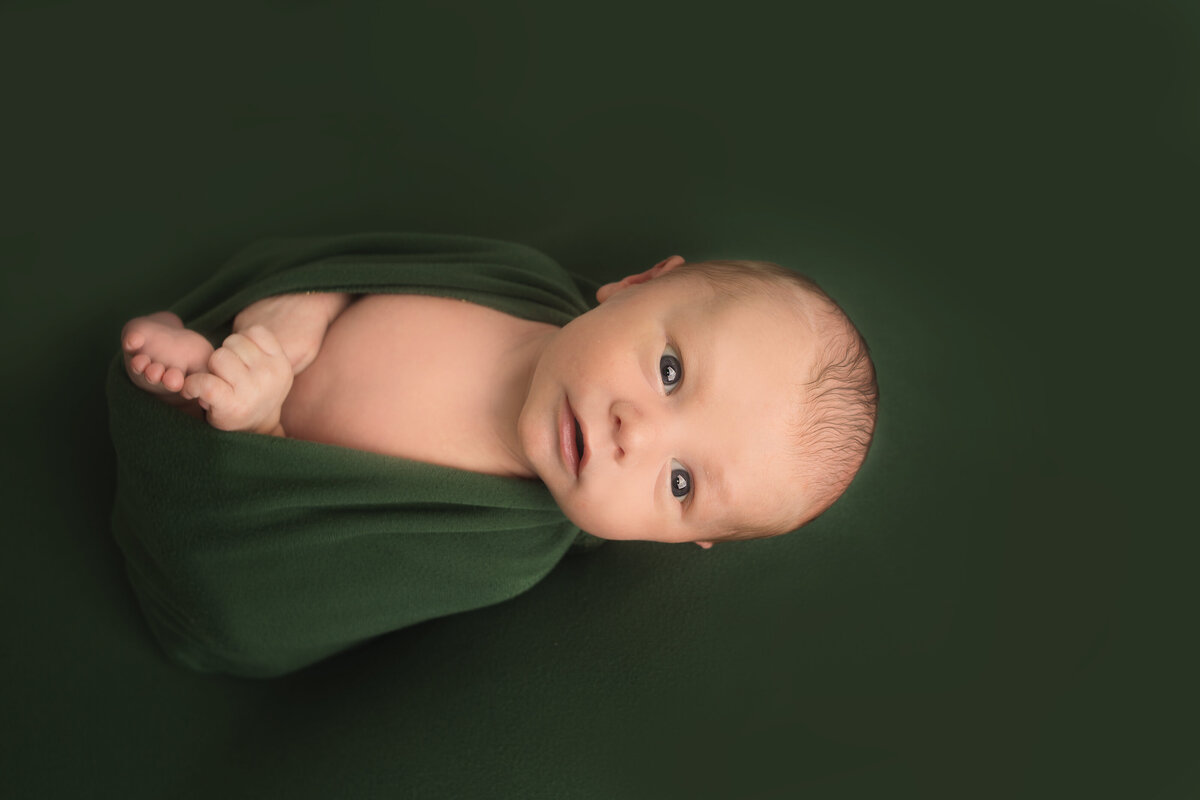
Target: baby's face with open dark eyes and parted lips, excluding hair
(686,402)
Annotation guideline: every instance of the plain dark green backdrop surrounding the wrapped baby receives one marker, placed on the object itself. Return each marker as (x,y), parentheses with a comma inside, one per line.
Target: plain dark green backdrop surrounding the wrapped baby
(1004,196)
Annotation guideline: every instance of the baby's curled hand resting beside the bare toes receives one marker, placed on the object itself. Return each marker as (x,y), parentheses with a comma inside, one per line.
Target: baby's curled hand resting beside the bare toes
(248,382)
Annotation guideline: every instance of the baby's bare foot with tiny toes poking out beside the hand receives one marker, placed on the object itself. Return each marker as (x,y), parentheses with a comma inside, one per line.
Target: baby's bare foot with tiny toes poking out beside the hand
(160,352)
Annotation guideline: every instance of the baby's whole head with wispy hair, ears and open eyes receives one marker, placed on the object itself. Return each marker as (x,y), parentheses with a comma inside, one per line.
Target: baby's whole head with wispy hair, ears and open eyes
(713,401)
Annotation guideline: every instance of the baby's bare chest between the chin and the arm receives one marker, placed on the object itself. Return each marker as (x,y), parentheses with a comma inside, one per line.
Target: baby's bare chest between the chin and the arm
(410,376)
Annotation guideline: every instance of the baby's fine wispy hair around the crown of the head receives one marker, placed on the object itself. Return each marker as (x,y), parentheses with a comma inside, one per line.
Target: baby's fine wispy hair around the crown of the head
(836,425)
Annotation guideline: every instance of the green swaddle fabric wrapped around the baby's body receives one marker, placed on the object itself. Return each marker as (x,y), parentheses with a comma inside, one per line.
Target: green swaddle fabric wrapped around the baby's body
(257,556)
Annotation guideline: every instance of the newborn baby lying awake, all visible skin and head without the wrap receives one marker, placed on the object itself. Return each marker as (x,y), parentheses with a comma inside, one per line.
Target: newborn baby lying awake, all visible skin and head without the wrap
(699,402)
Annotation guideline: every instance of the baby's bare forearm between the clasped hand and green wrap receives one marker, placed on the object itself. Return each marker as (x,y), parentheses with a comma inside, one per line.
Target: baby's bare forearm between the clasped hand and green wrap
(298,321)
